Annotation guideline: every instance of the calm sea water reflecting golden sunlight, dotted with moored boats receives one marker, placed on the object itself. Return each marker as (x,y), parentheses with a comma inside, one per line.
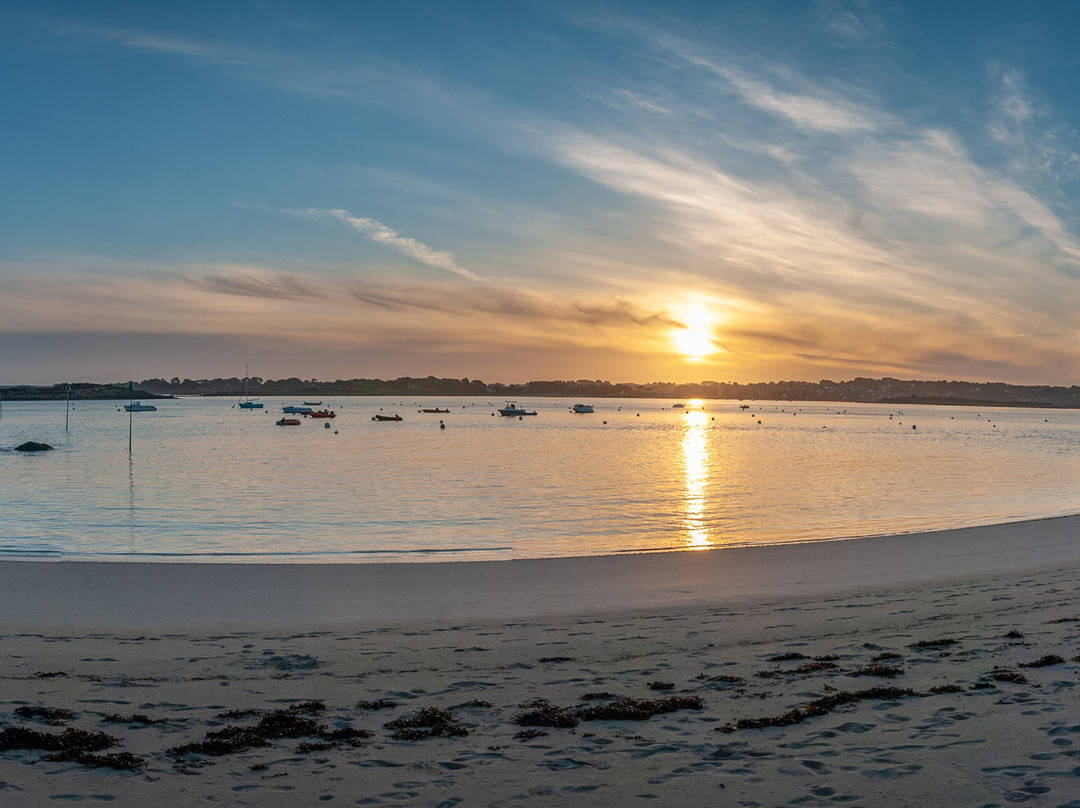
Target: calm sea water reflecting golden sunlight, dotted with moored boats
(206,481)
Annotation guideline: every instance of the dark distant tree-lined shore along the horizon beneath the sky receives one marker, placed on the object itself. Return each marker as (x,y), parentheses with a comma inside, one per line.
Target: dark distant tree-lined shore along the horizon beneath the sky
(887,390)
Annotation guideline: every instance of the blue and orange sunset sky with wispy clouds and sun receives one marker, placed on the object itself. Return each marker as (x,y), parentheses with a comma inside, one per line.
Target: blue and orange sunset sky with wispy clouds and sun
(730,191)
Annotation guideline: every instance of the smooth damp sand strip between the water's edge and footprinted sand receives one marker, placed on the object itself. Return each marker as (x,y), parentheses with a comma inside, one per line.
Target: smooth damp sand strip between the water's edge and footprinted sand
(121,596)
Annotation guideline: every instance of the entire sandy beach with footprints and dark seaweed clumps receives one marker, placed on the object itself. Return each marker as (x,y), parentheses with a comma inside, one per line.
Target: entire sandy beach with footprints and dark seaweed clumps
(934,670)
